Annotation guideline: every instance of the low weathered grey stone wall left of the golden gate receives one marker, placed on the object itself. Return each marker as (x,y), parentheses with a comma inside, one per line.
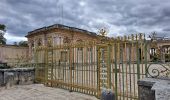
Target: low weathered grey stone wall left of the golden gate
(17,76)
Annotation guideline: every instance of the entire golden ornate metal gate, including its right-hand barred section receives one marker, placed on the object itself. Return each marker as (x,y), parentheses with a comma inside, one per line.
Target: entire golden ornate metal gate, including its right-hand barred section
(89,67)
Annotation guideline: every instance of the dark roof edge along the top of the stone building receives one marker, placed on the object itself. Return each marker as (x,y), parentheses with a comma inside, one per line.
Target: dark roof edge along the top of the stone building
(61,27)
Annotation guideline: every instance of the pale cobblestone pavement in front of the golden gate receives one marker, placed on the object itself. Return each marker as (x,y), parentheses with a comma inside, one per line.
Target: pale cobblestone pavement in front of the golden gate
(40,92)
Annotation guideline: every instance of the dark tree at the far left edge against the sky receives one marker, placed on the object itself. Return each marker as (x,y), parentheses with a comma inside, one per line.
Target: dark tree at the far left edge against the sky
(2,32)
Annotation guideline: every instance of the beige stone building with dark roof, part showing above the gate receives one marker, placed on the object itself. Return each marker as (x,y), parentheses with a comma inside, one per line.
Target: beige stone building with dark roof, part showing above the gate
(57,35)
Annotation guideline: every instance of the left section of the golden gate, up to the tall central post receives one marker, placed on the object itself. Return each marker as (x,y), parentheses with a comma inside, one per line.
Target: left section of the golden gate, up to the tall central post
(69,66)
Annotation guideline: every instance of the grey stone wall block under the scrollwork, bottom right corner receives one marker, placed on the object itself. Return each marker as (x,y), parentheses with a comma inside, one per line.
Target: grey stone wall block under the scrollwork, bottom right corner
(154,89)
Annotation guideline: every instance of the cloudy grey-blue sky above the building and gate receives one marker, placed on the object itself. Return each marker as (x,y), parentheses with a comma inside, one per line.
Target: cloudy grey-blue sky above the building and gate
(119,16)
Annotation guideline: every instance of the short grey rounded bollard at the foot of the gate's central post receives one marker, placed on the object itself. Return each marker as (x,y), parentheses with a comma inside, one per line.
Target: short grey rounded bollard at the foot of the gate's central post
(107,95)
